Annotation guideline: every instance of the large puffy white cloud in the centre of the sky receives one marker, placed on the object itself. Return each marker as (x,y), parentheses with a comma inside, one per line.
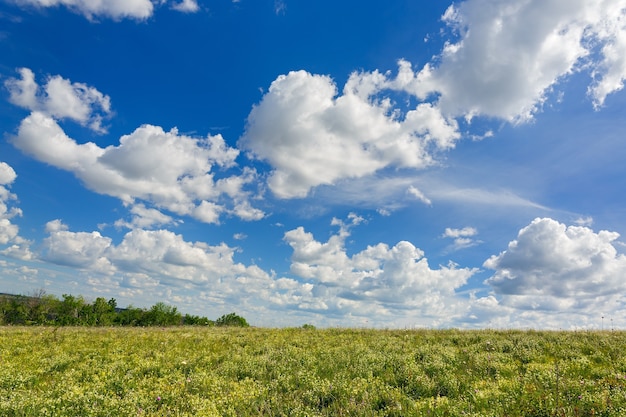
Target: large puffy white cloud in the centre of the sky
(313,136)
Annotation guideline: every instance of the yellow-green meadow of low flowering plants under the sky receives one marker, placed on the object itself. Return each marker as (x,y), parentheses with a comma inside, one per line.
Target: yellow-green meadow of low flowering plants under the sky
(220,371)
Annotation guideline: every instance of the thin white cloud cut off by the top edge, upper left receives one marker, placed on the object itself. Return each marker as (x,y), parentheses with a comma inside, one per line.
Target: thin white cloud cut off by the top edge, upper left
(115,9)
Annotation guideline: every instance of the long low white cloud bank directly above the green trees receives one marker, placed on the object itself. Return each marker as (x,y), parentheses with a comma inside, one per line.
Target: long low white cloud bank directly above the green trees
(163,262)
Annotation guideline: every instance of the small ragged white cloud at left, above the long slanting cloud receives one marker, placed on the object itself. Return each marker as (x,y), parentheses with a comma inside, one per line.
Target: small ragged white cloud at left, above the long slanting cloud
(60,99)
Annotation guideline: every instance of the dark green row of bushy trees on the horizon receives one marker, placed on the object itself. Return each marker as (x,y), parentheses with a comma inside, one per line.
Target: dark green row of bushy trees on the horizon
(48,310)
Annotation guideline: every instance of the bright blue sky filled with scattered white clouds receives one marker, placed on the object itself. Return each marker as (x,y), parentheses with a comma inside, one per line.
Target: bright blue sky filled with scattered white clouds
(410,164)
